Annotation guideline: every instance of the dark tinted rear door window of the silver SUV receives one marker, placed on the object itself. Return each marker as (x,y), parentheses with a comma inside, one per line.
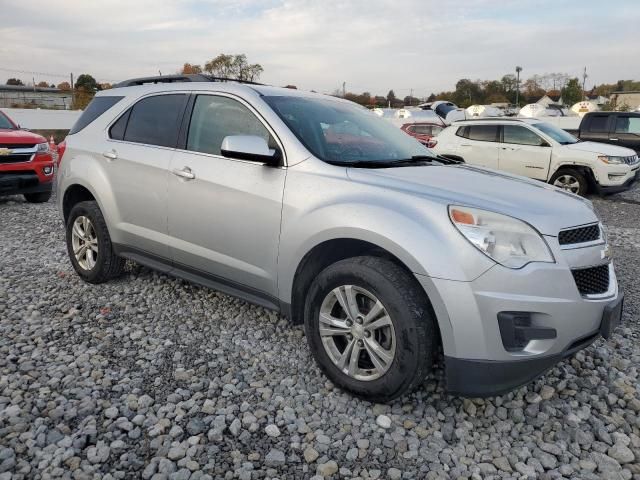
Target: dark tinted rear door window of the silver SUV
(155,120)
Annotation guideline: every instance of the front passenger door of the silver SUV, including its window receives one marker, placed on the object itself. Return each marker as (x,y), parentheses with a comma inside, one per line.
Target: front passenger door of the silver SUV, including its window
(224,223)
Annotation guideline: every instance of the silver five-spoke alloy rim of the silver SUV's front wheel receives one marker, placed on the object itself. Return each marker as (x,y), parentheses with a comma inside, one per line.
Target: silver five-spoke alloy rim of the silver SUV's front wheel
(357,332)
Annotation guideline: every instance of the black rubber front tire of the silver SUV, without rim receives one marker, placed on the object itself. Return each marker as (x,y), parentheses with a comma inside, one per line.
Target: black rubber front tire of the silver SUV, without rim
(410,313)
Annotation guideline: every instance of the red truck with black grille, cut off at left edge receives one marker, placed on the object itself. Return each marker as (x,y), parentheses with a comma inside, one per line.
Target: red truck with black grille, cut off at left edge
(26,163)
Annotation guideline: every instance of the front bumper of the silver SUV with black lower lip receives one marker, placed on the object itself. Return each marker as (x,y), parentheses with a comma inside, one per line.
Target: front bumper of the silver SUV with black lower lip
(478,360)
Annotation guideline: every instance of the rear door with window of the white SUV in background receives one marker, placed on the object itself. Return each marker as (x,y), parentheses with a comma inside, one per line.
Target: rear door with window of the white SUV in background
(479,145)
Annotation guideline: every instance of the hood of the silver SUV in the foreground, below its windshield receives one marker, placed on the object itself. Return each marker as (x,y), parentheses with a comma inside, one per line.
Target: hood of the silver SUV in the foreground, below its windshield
(544,206)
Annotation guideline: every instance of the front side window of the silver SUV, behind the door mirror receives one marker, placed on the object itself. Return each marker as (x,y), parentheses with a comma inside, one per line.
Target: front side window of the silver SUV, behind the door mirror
(214,118)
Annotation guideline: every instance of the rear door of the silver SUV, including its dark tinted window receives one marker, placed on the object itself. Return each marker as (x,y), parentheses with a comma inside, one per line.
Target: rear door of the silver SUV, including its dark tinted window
(139,149)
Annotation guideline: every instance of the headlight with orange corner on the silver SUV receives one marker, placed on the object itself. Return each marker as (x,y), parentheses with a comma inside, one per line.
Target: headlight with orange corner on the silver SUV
(506,240)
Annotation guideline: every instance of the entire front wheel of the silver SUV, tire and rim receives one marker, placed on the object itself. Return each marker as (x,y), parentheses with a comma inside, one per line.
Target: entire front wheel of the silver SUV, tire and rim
(370,328)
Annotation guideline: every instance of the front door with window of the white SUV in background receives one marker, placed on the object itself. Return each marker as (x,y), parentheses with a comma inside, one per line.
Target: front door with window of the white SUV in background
(524,152)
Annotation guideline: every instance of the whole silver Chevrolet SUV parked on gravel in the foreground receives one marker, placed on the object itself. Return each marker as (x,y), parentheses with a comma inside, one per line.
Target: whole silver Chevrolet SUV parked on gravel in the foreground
(315,207)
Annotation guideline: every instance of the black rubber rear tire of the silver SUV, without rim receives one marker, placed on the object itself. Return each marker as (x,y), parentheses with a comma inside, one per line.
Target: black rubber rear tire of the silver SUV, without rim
(108,265)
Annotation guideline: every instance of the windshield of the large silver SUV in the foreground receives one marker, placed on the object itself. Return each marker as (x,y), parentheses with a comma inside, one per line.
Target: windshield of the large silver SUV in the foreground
(342,133)
